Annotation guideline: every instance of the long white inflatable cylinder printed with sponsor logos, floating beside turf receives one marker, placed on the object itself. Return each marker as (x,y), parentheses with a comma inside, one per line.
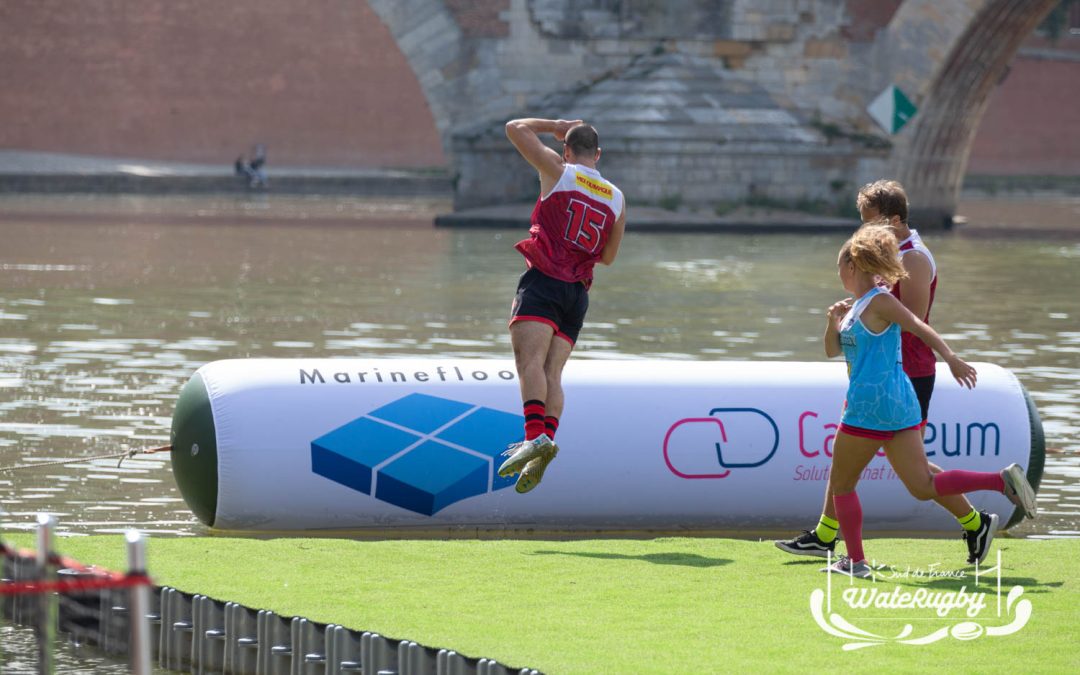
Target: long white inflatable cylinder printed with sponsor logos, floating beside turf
(644,445)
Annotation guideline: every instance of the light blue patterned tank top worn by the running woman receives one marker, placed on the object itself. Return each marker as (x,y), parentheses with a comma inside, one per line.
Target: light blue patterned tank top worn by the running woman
(881,396)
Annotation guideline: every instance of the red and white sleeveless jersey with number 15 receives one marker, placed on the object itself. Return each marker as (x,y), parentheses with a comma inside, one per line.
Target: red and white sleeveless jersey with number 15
(572,225)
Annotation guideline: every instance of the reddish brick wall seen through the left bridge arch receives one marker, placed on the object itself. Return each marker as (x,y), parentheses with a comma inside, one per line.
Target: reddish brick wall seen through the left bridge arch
(321,84)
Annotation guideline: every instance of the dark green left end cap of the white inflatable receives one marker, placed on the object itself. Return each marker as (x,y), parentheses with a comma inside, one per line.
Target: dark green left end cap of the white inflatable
(195,450)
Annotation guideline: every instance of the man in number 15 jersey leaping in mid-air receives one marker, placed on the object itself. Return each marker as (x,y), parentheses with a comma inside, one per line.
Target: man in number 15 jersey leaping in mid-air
(578,222)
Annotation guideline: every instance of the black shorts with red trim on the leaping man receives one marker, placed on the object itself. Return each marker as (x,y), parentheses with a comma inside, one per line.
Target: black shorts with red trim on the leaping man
(562,305)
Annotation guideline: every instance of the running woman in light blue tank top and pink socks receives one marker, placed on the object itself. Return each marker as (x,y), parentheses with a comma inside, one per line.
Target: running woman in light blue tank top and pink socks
(882,409)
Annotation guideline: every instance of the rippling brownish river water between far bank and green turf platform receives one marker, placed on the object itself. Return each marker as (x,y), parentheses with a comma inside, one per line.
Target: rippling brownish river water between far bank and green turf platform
(102,325)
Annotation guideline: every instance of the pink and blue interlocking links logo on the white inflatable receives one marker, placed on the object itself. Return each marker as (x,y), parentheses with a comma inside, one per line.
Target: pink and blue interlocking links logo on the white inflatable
(703,448)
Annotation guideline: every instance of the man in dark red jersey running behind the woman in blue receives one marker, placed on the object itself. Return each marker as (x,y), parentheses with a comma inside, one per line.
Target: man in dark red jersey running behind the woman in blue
(888,201)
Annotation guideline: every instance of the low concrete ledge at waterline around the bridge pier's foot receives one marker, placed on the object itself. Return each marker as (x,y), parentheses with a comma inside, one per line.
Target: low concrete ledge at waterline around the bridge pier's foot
(653,220)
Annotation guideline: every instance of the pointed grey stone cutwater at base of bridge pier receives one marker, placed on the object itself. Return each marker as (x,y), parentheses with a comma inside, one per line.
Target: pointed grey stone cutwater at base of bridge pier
(685,132)
